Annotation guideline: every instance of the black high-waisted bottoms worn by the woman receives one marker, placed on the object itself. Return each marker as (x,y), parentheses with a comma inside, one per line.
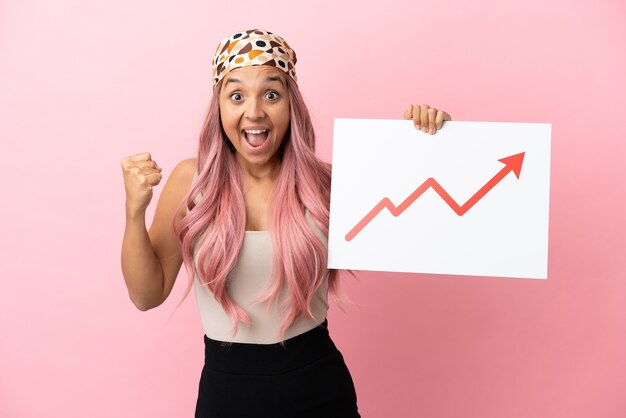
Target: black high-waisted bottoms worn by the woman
(306,378)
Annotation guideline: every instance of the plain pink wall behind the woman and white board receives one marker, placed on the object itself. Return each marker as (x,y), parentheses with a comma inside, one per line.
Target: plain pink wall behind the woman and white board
(85,83)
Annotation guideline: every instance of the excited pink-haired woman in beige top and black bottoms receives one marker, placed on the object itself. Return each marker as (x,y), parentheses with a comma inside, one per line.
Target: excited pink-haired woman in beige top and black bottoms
(254,207)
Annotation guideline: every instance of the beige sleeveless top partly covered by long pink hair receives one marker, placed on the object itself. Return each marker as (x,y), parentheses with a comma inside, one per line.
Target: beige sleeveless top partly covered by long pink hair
(250,278)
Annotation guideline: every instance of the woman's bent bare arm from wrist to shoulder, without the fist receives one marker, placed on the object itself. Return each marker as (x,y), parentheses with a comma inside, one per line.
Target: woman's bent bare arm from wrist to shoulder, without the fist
(151,260)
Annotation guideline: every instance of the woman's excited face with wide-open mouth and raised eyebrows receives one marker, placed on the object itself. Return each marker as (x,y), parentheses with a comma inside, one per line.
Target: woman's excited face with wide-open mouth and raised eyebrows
(254,109)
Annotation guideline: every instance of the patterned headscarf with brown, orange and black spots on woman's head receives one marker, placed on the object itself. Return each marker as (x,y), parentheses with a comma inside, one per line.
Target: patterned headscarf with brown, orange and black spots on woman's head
(253,47)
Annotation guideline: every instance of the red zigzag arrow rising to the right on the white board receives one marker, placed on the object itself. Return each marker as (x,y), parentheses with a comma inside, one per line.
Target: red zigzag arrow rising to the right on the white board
(512,163)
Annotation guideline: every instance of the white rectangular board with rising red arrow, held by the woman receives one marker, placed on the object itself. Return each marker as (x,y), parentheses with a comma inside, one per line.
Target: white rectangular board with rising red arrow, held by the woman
(472,199)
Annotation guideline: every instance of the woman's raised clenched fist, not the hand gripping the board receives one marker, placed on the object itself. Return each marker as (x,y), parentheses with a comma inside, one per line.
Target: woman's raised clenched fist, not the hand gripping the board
(140,174)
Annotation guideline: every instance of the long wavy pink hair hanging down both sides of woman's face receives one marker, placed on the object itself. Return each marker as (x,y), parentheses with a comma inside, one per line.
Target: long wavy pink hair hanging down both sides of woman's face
(216,225)
